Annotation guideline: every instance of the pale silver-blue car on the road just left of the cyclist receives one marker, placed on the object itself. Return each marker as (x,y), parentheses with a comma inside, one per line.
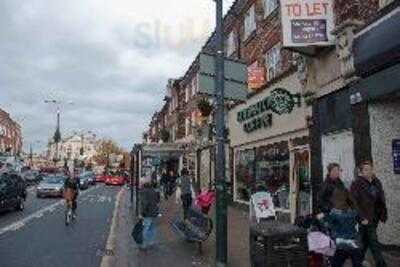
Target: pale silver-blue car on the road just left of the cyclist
(51,186)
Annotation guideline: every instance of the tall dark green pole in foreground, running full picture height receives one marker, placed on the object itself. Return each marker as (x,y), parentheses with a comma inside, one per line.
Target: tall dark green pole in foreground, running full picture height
(221,204)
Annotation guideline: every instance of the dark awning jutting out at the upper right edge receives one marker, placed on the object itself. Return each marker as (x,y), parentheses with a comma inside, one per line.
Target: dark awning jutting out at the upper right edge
(378,44)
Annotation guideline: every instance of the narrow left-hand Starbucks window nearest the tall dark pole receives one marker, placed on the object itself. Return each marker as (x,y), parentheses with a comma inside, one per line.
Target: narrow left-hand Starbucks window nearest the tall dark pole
(245,160)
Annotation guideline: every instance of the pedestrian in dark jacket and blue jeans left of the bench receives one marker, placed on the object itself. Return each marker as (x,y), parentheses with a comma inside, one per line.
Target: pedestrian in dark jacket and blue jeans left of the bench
(149,202)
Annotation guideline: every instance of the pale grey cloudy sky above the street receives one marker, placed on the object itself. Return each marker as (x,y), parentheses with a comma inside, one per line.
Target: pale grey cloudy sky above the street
(111,59)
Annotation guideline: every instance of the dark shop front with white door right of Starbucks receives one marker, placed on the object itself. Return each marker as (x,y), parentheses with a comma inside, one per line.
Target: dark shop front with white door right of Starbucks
(362,120)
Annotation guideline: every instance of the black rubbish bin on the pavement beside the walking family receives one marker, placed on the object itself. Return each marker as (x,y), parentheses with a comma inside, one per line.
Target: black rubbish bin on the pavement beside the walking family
(277,244)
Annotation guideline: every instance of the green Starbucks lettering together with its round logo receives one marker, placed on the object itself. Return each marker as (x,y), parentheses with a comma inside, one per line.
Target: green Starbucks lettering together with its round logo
(259,115)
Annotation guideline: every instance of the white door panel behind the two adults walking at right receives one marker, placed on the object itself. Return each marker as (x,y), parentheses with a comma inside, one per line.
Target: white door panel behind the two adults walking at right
(339,148)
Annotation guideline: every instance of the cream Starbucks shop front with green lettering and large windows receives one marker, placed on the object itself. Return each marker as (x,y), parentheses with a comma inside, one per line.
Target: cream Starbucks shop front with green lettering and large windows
(270,143)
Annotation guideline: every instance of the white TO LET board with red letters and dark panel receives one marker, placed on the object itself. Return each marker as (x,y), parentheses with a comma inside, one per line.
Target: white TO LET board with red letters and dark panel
(307,23)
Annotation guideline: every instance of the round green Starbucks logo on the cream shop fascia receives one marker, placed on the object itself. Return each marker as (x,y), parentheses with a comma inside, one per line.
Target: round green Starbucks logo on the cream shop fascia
(281,101)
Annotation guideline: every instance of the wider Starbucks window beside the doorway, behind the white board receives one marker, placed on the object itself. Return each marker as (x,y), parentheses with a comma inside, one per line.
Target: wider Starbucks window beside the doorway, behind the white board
(273,171)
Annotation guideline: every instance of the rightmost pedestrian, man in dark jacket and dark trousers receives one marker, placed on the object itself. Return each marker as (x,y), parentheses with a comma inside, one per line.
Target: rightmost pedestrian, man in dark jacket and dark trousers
(369,197)
